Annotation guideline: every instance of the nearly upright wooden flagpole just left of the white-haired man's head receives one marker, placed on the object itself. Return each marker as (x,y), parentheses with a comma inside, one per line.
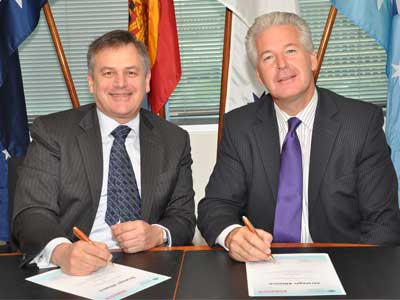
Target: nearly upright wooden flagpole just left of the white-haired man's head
(225,69)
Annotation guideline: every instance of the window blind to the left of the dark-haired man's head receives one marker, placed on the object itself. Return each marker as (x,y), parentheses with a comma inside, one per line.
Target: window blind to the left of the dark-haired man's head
(78,23)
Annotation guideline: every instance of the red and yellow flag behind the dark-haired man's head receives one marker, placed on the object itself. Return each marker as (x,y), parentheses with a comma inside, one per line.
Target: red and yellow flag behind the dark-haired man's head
(153,22)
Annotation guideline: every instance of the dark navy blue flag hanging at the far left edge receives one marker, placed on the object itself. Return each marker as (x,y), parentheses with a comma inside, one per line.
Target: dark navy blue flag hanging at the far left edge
(18,18)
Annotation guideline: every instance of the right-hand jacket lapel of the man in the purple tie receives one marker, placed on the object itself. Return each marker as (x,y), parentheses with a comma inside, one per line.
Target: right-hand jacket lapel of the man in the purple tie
(324,135)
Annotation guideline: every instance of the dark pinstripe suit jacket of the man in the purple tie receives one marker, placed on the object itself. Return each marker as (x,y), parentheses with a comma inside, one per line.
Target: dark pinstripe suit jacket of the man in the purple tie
(352,183)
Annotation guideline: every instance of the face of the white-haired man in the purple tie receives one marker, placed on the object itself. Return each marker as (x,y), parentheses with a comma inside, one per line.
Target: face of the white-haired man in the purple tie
(284,66)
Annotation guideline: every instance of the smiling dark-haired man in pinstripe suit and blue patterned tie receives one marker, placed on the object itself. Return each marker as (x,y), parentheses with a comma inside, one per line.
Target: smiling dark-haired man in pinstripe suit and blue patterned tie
(66,180)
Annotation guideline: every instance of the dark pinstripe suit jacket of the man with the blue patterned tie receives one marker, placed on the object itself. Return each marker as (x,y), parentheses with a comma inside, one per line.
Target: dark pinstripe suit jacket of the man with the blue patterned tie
(60,181)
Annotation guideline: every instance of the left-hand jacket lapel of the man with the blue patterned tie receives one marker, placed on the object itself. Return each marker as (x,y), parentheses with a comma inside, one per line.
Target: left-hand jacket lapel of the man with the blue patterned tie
(90,143)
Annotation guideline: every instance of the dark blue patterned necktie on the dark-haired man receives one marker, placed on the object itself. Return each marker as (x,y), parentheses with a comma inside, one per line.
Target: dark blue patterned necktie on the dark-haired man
(123,199)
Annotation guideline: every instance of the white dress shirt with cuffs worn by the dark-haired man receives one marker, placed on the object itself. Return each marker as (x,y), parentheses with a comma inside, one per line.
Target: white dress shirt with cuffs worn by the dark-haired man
(100,230)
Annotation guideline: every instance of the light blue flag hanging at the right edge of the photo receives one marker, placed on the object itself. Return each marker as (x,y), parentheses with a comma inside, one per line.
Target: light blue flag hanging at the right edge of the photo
(380,19)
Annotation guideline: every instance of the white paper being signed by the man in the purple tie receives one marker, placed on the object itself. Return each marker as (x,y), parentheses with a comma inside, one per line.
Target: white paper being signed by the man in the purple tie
(308,274)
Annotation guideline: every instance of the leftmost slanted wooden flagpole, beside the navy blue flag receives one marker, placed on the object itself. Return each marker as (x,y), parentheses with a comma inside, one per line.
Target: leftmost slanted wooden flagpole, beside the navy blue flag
(61,55)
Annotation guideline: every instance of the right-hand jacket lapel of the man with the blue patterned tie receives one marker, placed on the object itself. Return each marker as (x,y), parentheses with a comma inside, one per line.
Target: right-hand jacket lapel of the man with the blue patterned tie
(151,154)
